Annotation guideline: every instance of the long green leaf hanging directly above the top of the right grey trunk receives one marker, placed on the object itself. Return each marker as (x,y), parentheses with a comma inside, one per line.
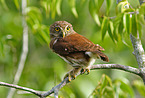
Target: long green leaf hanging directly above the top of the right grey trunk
(134,25)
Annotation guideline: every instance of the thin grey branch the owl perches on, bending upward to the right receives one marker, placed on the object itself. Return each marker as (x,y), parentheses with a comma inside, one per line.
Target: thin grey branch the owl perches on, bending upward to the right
(56,89)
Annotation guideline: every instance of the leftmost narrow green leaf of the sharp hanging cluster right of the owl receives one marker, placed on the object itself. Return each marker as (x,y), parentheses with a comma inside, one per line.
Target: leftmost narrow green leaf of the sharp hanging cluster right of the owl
(104,27)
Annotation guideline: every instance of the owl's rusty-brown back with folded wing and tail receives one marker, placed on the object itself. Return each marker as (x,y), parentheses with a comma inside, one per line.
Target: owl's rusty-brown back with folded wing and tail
(76,43)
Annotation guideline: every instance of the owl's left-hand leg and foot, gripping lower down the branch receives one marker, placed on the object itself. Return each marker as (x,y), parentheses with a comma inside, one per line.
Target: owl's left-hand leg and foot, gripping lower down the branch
(72,74)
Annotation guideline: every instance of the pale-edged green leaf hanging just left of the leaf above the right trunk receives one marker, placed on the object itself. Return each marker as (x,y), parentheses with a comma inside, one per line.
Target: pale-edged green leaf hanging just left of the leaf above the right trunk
(127,22)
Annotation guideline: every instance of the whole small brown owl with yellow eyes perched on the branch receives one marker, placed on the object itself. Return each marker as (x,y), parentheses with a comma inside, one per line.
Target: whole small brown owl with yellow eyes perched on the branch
(74,48)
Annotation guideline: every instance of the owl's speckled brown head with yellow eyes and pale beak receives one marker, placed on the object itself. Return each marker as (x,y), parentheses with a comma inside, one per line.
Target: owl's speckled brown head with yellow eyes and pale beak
(60,29)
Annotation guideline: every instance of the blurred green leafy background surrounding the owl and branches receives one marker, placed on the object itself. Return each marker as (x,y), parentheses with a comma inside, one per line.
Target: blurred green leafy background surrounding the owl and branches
(95,19)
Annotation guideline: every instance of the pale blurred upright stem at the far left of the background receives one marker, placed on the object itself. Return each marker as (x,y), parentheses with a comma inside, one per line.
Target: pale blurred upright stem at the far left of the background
(24,51)
